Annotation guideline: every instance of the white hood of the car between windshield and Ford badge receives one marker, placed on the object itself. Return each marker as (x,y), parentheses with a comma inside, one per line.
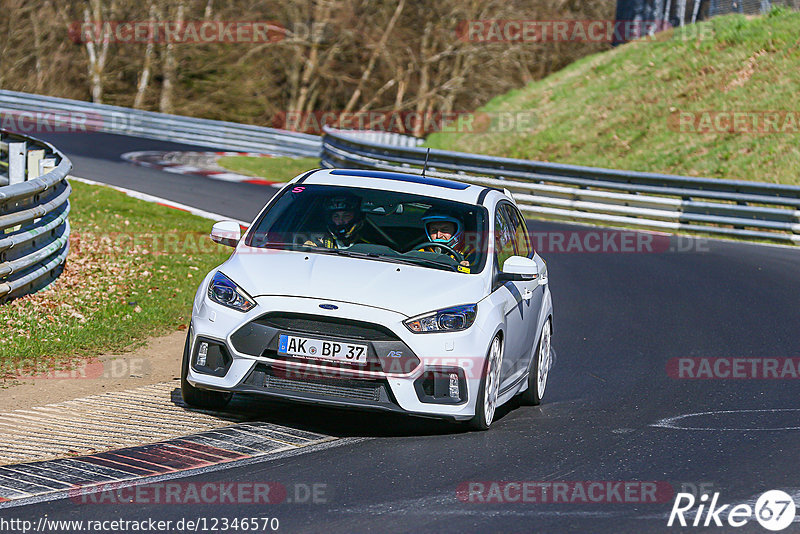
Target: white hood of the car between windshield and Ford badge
(409,290)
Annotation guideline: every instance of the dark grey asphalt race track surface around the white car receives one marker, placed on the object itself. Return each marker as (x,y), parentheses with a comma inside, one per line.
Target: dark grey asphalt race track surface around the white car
(620,318)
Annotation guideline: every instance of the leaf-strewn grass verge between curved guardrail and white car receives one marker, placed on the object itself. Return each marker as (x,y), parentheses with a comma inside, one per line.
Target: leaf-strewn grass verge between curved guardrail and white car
(132,272)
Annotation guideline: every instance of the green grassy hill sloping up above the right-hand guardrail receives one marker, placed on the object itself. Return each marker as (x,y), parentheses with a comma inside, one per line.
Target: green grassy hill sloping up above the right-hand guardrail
(621,108)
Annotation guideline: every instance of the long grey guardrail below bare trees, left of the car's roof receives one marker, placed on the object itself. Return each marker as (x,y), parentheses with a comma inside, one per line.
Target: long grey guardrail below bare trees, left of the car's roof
(77,116)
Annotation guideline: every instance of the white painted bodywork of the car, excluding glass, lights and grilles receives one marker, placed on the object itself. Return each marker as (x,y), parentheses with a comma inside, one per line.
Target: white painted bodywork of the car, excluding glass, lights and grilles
(386,294)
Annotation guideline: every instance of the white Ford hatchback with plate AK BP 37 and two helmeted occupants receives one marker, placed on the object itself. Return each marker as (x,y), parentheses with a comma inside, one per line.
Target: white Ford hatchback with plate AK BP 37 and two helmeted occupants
(375,290)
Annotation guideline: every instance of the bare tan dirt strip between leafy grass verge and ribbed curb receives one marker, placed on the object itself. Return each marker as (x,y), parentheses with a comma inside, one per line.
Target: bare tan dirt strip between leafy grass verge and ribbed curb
(159,360)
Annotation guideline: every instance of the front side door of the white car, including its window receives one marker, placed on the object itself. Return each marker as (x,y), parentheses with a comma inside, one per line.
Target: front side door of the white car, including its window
(514,297)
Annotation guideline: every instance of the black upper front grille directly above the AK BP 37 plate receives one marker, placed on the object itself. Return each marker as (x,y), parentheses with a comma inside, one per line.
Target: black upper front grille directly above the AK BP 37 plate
(327,326)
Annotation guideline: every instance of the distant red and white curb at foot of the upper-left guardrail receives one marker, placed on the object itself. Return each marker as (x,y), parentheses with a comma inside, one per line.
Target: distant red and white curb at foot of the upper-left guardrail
(158,160)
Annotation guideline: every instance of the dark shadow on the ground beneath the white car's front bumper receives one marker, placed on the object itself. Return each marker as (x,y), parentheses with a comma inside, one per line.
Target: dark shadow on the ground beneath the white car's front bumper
(341,422)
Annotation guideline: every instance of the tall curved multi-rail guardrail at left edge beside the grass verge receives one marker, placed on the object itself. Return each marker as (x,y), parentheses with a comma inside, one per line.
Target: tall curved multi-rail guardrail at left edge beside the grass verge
(34,204)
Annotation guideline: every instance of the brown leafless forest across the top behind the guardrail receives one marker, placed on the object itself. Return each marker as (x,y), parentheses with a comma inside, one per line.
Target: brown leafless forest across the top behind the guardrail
(342,55)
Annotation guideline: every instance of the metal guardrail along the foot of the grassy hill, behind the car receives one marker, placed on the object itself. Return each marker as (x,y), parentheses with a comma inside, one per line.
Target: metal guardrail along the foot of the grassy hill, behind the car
(750,210)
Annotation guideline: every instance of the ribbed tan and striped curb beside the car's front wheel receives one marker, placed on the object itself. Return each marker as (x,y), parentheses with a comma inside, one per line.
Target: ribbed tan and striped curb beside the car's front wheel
(35,442)
